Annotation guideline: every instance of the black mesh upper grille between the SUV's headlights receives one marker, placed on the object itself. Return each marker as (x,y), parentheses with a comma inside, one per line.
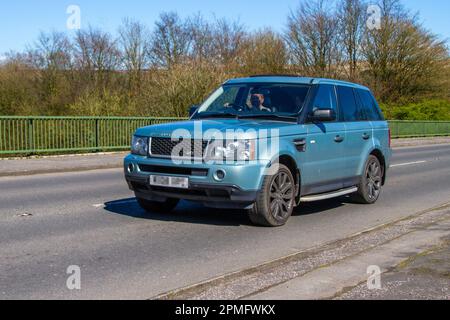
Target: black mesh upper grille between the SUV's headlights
(163,147)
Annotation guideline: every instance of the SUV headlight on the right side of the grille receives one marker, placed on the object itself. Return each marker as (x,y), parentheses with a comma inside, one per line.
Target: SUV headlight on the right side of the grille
(241,150)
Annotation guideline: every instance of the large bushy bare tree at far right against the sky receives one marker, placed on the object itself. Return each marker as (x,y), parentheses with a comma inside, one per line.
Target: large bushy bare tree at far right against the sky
(403,58)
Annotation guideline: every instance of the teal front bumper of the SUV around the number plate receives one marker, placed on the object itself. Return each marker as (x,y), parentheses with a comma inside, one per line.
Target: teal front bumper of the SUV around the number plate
(238,189)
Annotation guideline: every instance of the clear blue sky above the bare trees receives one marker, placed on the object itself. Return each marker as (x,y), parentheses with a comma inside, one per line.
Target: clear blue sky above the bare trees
(22,20)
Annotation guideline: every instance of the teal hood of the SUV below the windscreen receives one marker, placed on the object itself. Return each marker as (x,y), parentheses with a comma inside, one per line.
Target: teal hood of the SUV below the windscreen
(248,129)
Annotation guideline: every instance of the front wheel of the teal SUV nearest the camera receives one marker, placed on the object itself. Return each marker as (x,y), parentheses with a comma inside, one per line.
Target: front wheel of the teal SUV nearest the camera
(276,200)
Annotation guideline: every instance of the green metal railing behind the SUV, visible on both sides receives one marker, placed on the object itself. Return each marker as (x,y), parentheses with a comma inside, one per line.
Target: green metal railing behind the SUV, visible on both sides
(40,135)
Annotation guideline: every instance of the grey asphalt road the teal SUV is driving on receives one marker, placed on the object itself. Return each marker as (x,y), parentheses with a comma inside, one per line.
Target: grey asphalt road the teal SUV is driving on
(49,222)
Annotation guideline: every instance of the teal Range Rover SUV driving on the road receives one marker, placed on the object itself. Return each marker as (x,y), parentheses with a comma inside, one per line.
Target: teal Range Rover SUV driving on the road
(265,144)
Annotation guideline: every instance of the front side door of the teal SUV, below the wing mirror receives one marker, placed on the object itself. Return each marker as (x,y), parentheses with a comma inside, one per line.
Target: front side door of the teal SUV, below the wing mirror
(323,170)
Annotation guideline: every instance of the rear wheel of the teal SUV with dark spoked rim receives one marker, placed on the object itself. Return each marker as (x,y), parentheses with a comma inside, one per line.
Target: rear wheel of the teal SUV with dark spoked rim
(369,187)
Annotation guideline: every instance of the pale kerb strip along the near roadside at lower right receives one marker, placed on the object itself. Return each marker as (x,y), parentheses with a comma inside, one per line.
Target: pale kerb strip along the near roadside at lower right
(223,287)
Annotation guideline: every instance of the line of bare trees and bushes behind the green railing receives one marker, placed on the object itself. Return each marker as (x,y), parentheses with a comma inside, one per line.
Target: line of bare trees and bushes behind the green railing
(162,69)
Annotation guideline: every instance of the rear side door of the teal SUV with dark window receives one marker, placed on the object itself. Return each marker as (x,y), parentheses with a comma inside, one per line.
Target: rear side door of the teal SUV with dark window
(358,133)
